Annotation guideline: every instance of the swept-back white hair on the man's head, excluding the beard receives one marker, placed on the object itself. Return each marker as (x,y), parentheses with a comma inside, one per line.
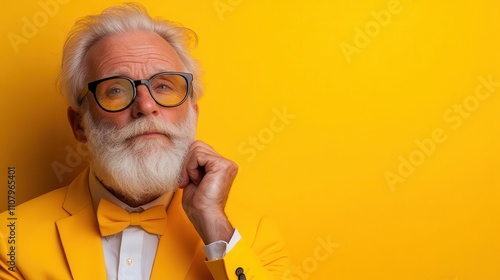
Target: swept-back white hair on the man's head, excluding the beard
(114,20)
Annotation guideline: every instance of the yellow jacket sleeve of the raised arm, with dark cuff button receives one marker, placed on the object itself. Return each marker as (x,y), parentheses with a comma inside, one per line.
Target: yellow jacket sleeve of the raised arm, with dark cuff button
(260,257)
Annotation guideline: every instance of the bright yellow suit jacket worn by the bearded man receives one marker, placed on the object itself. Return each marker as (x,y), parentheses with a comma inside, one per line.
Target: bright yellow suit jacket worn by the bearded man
(57,237)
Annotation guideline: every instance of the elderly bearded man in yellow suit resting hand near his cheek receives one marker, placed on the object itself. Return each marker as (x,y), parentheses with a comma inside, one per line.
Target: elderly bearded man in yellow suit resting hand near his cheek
(152,203)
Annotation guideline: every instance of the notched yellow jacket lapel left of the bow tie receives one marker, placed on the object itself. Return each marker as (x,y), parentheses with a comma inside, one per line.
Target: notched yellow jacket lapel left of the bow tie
(79,233)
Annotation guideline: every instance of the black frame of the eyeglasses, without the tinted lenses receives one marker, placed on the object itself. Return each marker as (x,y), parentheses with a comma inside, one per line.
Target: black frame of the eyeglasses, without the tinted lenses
(92,86)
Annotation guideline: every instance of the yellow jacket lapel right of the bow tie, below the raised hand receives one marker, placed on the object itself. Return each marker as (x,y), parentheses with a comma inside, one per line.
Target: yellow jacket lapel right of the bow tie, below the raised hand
(178,245)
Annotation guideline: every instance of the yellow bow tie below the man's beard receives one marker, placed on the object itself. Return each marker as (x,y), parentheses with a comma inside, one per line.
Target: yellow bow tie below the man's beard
(113,219)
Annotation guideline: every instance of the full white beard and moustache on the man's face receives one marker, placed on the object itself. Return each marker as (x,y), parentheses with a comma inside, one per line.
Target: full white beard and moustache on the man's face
(139,168)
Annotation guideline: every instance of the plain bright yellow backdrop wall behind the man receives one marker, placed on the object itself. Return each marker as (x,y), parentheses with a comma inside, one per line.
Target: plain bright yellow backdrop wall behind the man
(352,118)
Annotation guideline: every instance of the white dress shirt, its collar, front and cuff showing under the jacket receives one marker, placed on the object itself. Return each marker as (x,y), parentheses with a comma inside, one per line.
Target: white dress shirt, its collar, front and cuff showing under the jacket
(130,254)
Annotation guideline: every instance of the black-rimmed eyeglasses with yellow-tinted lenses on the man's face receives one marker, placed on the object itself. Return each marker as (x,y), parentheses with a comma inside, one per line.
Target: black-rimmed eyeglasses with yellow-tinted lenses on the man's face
(114,94)
